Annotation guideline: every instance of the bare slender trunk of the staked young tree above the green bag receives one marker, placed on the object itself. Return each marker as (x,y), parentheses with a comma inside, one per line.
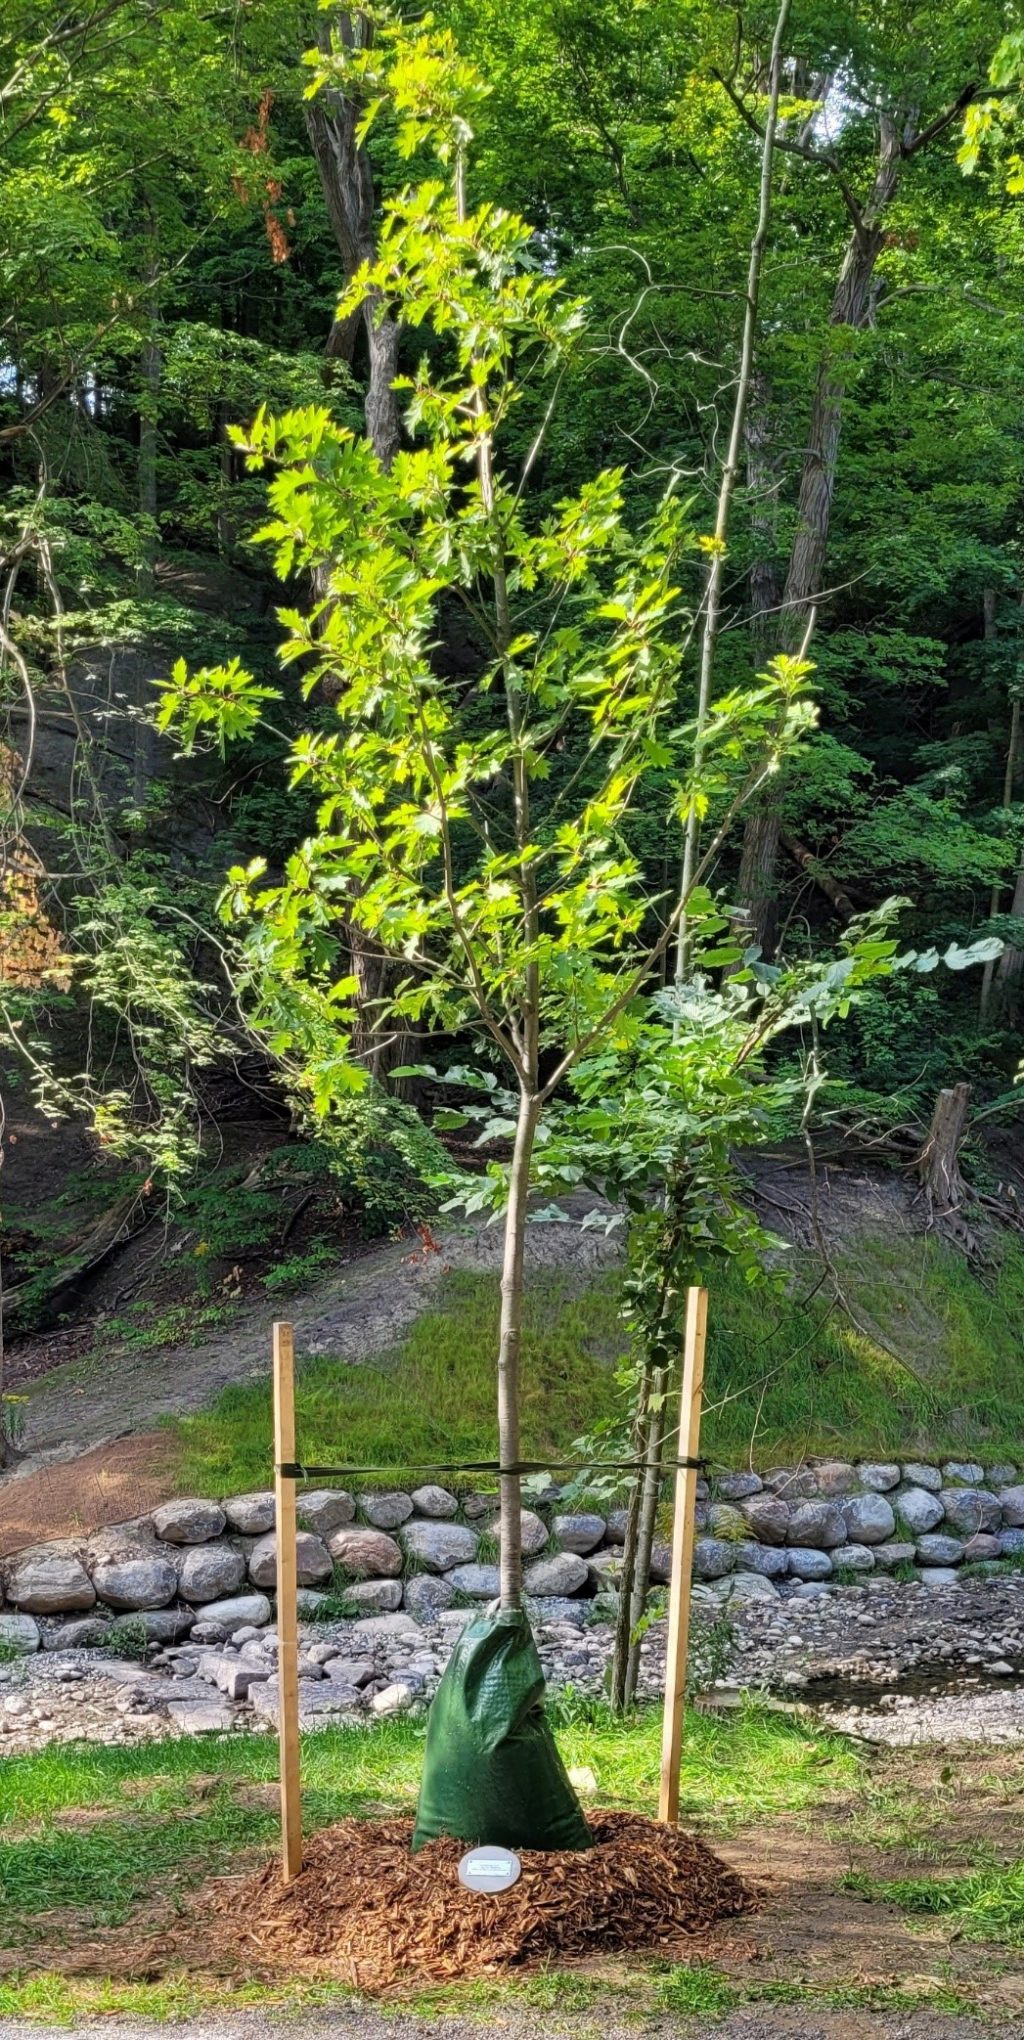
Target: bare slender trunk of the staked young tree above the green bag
(509,1349)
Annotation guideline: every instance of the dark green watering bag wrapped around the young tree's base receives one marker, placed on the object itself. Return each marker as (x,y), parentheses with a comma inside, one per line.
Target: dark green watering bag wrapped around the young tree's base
(493,1772)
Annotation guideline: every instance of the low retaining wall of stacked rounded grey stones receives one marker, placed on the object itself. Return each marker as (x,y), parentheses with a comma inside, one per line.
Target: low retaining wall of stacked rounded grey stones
(207,1568)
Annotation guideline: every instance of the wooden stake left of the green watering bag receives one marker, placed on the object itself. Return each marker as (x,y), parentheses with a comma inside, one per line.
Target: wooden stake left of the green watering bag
(285,1490)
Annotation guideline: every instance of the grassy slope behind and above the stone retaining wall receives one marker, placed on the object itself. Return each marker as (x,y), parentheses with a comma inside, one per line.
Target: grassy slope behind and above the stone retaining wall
(784,1376)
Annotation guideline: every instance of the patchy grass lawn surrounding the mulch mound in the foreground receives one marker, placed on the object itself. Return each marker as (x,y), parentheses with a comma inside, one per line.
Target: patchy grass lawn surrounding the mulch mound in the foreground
(103,1845)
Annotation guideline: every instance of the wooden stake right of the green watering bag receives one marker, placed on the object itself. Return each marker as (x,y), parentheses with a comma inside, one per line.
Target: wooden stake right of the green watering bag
(682,1553)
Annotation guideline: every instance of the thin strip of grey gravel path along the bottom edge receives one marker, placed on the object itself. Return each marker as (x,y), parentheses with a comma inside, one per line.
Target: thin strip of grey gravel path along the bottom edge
(511,2025)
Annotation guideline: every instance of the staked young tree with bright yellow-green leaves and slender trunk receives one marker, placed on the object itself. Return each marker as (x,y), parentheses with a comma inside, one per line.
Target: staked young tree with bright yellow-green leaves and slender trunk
(478,831)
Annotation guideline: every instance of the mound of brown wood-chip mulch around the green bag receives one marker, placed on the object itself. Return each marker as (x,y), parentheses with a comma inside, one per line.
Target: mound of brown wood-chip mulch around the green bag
(370,1912)
